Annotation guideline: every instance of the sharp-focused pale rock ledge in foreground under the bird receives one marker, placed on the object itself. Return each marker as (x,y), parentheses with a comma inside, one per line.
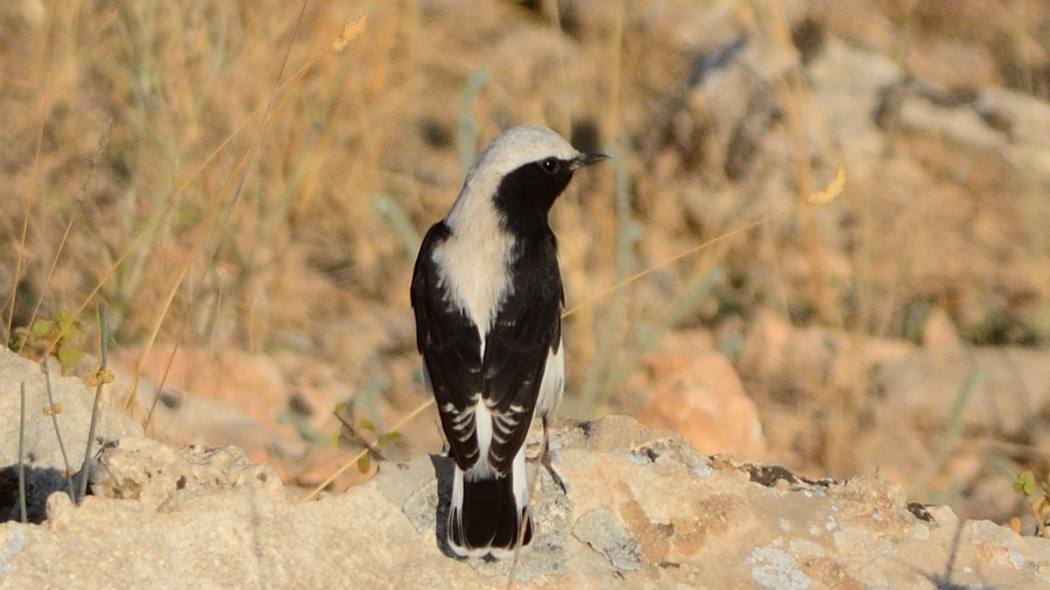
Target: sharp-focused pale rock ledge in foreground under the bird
(644,510)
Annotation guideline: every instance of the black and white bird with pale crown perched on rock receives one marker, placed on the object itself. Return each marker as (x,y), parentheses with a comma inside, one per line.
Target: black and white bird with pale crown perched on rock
(488,297)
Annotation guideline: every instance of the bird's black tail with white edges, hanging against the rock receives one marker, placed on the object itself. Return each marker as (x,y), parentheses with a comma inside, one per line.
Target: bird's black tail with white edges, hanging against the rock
(487,518)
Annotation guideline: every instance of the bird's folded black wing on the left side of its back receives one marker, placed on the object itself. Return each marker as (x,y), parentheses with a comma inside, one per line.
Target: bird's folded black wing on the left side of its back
(451,348)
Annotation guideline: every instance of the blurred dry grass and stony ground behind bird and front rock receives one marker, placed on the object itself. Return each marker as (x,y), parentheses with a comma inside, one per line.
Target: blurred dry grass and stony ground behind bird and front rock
(138,170)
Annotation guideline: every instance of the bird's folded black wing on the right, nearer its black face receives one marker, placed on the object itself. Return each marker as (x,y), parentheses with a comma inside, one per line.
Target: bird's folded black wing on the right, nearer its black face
(528,328)
